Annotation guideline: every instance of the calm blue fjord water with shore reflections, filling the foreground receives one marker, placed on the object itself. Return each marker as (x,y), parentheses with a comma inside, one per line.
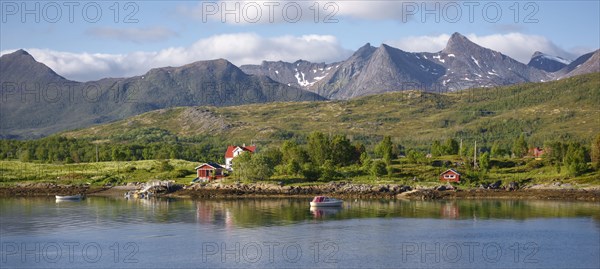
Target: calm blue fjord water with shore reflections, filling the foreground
(103,232)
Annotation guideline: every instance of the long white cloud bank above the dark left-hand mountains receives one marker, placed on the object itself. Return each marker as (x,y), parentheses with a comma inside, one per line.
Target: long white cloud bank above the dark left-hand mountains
(242,48)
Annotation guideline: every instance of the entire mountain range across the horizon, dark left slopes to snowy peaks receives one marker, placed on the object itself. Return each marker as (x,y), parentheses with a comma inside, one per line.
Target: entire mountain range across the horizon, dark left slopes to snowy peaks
(37,101)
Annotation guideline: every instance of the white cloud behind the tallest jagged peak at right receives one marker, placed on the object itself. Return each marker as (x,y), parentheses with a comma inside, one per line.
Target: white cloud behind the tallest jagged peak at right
(518,46)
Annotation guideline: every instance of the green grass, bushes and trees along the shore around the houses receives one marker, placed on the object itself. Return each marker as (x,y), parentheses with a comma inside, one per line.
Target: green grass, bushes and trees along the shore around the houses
(333,165)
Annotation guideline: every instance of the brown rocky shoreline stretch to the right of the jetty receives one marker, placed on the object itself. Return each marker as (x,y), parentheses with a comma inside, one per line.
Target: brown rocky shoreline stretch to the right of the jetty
(387,191)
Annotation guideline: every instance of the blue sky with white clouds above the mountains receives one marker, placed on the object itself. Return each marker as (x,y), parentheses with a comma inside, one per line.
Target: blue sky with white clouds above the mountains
(90,40)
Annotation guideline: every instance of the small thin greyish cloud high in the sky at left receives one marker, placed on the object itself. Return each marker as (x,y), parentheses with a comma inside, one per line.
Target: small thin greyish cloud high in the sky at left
(136,35)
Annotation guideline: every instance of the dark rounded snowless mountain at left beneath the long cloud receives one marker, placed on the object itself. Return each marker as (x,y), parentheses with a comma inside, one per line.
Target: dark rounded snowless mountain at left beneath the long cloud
(38,102)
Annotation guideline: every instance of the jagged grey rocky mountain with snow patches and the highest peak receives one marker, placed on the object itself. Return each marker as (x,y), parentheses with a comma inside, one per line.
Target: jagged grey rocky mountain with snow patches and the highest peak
(460,65)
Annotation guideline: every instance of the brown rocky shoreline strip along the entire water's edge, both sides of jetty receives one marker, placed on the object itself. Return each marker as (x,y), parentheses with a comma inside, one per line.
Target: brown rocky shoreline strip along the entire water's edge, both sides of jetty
(335,189)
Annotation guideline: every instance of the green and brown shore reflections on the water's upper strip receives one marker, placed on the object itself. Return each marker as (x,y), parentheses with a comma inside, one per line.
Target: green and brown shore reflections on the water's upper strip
(30,215)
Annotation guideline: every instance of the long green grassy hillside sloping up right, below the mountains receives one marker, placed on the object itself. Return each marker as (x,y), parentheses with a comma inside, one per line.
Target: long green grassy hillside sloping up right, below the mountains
(560,110)
